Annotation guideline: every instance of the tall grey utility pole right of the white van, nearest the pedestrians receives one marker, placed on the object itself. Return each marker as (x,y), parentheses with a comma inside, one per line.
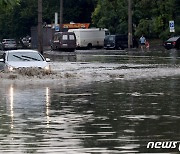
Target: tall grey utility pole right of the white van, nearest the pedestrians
(129,24)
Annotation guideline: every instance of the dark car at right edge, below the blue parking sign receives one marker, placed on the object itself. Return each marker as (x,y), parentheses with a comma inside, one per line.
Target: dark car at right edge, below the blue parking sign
(173,42)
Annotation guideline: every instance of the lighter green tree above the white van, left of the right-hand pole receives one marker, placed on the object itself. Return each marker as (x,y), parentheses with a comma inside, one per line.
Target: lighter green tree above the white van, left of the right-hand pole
(111,15)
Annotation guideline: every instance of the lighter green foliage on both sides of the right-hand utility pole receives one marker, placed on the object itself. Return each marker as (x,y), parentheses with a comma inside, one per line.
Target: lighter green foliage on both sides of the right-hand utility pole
(150,17)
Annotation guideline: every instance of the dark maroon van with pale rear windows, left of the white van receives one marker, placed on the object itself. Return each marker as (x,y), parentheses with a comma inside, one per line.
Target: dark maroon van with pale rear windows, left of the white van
(65,41)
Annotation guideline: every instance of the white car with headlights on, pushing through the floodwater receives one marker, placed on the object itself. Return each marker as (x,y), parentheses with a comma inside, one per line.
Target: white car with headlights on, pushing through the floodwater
(16,59)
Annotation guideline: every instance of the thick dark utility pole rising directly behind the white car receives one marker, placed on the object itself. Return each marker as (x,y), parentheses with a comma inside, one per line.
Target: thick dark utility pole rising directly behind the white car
(40,33)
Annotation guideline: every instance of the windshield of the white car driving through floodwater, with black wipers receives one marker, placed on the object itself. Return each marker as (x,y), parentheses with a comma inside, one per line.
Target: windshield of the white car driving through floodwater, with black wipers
(24,56)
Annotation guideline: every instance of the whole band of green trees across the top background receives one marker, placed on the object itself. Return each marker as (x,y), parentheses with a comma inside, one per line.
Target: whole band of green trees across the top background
(150,17)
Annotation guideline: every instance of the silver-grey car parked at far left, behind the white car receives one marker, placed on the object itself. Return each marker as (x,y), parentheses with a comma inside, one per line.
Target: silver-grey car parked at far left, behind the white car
(8,44)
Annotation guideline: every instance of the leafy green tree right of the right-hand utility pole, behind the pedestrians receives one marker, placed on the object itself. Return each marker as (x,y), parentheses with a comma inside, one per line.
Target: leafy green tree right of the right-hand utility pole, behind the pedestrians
(155,17)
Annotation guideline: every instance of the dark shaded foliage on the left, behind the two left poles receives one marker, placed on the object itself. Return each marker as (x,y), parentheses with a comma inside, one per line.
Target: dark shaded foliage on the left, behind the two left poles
(17,20)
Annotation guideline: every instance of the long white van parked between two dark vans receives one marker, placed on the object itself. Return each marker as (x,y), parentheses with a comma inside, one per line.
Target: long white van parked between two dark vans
(89,38)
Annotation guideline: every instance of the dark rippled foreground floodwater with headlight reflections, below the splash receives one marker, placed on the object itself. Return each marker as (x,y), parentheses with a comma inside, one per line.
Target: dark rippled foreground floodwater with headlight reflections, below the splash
(101,117)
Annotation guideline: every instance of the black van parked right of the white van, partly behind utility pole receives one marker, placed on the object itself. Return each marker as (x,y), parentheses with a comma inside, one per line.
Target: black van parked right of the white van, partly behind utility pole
(118,42)
